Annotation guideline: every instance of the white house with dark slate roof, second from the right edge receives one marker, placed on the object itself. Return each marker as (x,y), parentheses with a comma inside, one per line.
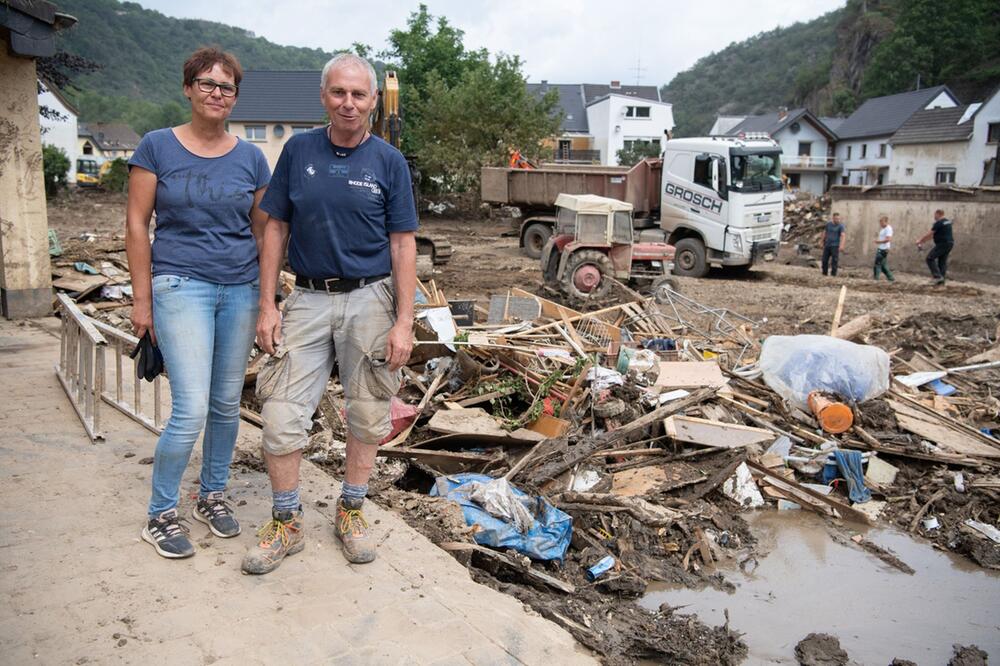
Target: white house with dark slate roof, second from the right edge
(864,149)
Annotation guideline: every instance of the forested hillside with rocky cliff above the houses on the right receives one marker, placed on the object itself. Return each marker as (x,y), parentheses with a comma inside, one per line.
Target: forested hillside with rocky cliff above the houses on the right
(835,62)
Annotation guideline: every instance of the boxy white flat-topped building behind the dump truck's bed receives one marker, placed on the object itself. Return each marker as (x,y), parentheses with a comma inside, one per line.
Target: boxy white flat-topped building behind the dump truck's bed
(620,122)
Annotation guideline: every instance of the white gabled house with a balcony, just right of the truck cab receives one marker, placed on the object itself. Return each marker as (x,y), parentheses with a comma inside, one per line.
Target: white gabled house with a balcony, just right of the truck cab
(807,146)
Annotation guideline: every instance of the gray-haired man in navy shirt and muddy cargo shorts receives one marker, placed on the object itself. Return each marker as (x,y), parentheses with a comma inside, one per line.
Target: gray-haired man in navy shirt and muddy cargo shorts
(342,200)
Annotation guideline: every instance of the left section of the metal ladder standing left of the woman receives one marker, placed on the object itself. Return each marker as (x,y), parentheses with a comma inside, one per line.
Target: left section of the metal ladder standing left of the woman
(81,365)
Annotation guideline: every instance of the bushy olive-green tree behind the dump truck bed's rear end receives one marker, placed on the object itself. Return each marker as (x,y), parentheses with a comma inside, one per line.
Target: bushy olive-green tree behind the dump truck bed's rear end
(476,121)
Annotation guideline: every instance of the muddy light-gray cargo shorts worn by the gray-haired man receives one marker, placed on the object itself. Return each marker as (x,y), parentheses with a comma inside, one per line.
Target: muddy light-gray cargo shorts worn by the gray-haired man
(318,329)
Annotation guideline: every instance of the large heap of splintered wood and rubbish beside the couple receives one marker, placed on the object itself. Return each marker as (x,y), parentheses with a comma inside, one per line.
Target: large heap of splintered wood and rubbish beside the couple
(571,458)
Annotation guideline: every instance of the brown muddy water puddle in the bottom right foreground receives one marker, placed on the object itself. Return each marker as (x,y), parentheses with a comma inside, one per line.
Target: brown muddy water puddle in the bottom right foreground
(806,582)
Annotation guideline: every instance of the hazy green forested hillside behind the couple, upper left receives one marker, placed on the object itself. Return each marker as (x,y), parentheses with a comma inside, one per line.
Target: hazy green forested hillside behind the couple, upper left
(141,52)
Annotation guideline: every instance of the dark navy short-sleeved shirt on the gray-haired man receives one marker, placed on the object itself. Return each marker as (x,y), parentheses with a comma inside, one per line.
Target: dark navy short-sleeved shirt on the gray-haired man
(341,204)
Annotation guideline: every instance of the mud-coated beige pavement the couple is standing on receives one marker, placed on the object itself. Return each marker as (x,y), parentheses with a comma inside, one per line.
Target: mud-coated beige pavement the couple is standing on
(77,585)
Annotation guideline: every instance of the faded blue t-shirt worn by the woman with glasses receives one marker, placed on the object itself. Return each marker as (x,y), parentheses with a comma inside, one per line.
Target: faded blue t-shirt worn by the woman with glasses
(203,208)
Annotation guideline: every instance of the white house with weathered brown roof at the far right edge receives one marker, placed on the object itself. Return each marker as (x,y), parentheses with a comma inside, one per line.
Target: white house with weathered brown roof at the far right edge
(948,146)
